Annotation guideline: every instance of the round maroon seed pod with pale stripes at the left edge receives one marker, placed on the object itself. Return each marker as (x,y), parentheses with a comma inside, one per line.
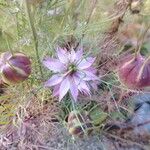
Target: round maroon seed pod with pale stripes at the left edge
(14,68)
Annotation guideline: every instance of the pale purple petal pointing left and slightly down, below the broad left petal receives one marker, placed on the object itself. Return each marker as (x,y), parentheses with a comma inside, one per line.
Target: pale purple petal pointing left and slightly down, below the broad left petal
(54,80)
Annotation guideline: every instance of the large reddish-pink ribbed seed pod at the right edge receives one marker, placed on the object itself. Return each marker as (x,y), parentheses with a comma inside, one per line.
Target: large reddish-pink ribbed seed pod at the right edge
(134,72)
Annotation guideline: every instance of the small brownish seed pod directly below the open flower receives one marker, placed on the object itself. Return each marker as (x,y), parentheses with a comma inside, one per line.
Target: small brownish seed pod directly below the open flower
(79,124)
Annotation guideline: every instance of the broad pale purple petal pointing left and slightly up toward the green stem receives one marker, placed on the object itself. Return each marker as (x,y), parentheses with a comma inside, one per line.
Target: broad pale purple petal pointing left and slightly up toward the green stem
(54,65)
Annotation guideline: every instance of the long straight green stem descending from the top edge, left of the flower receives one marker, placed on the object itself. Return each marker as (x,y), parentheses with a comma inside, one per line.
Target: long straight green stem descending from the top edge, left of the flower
(34,34)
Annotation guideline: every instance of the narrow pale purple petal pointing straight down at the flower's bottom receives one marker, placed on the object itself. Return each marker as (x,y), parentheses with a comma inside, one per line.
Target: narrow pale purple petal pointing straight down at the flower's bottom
(74,91)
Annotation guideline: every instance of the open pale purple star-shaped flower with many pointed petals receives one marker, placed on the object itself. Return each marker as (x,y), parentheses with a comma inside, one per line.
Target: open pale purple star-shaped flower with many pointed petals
(73,73)
